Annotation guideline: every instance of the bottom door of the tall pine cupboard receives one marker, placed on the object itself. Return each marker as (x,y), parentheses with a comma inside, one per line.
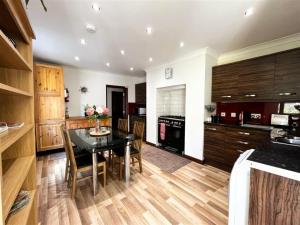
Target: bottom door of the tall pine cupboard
(49,137)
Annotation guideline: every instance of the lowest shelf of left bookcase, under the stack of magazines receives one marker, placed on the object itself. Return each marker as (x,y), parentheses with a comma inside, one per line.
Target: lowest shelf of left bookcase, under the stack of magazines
(21,217)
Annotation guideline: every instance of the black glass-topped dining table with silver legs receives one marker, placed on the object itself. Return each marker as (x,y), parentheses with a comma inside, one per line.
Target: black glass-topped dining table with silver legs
(96,144)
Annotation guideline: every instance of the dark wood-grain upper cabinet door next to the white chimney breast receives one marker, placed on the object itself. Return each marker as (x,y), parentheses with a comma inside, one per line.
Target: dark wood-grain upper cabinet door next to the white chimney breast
(224,83)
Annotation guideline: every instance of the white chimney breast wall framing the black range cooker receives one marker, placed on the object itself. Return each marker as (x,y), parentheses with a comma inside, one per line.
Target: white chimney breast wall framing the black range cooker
(192,72)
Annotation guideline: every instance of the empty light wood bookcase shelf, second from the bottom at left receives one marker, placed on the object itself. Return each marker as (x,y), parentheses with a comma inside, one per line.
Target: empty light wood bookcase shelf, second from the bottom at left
(14,172)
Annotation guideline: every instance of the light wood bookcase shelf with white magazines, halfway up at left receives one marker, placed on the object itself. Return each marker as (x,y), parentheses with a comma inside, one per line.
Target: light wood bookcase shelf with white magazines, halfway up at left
(9,137)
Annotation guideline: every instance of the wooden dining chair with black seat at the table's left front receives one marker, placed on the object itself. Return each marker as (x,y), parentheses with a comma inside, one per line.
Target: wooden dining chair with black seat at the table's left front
(81,167)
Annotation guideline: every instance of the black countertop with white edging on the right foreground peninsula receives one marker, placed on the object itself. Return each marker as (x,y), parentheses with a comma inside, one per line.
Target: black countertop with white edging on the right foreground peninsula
(277,155)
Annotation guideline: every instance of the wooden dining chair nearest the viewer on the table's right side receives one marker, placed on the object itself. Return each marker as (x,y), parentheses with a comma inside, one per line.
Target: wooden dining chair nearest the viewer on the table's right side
(135,151)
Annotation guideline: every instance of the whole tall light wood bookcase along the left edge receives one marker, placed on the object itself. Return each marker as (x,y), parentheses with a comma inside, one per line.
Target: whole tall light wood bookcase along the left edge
(17,145)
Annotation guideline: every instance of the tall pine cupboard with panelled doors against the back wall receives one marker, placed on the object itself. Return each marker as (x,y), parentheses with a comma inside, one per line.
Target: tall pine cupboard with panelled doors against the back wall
(50,106)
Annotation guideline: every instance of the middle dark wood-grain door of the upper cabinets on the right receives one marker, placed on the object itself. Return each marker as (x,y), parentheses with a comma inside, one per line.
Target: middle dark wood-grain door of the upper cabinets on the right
(256,79)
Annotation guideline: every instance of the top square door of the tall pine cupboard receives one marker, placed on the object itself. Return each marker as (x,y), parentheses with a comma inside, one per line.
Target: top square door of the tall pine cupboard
(49,80)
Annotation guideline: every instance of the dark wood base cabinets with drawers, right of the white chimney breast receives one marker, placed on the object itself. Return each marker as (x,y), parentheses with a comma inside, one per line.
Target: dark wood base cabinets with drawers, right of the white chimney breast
(223,145)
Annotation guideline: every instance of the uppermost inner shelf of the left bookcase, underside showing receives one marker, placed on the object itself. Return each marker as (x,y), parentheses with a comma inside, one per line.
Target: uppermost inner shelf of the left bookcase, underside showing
(9,55)
